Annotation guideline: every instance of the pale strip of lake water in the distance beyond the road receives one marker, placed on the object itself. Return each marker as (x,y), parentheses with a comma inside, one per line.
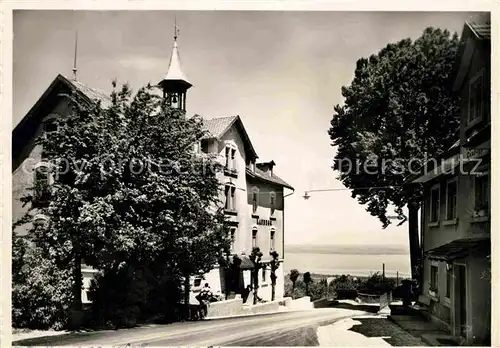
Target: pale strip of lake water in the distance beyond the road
(358,265)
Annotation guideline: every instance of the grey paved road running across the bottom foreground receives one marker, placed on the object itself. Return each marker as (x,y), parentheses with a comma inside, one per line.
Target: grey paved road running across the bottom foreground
(281,329)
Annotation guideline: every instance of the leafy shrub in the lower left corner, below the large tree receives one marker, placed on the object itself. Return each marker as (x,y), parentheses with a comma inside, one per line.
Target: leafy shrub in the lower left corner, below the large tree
(41,291)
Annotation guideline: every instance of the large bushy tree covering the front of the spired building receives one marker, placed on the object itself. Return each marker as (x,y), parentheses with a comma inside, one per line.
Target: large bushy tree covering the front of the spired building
(129,189)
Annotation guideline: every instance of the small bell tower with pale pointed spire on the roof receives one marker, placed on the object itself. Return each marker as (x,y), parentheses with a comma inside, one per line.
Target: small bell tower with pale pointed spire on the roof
(175,84)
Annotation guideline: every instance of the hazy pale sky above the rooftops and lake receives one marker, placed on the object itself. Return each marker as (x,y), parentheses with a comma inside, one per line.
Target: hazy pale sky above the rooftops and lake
(282,72)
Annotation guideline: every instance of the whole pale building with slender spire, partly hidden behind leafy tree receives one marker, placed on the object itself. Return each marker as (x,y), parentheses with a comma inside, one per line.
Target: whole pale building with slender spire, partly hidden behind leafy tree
(254,221)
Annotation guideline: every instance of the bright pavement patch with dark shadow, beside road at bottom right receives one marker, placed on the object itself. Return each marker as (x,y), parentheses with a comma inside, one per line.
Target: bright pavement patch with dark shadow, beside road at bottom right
(365,331)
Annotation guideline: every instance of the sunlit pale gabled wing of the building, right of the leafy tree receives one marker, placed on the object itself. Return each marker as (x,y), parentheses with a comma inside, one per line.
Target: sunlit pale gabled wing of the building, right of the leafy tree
(254,201)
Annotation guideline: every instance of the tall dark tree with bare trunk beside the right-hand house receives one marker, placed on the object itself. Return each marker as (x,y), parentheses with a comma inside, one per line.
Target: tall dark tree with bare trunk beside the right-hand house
(398,111)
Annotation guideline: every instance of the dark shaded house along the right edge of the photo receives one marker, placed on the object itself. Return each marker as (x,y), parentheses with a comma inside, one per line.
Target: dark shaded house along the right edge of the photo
(456,212)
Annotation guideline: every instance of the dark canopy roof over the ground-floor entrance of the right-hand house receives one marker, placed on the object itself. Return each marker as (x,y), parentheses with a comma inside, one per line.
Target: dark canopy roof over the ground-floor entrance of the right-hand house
(459,248)
